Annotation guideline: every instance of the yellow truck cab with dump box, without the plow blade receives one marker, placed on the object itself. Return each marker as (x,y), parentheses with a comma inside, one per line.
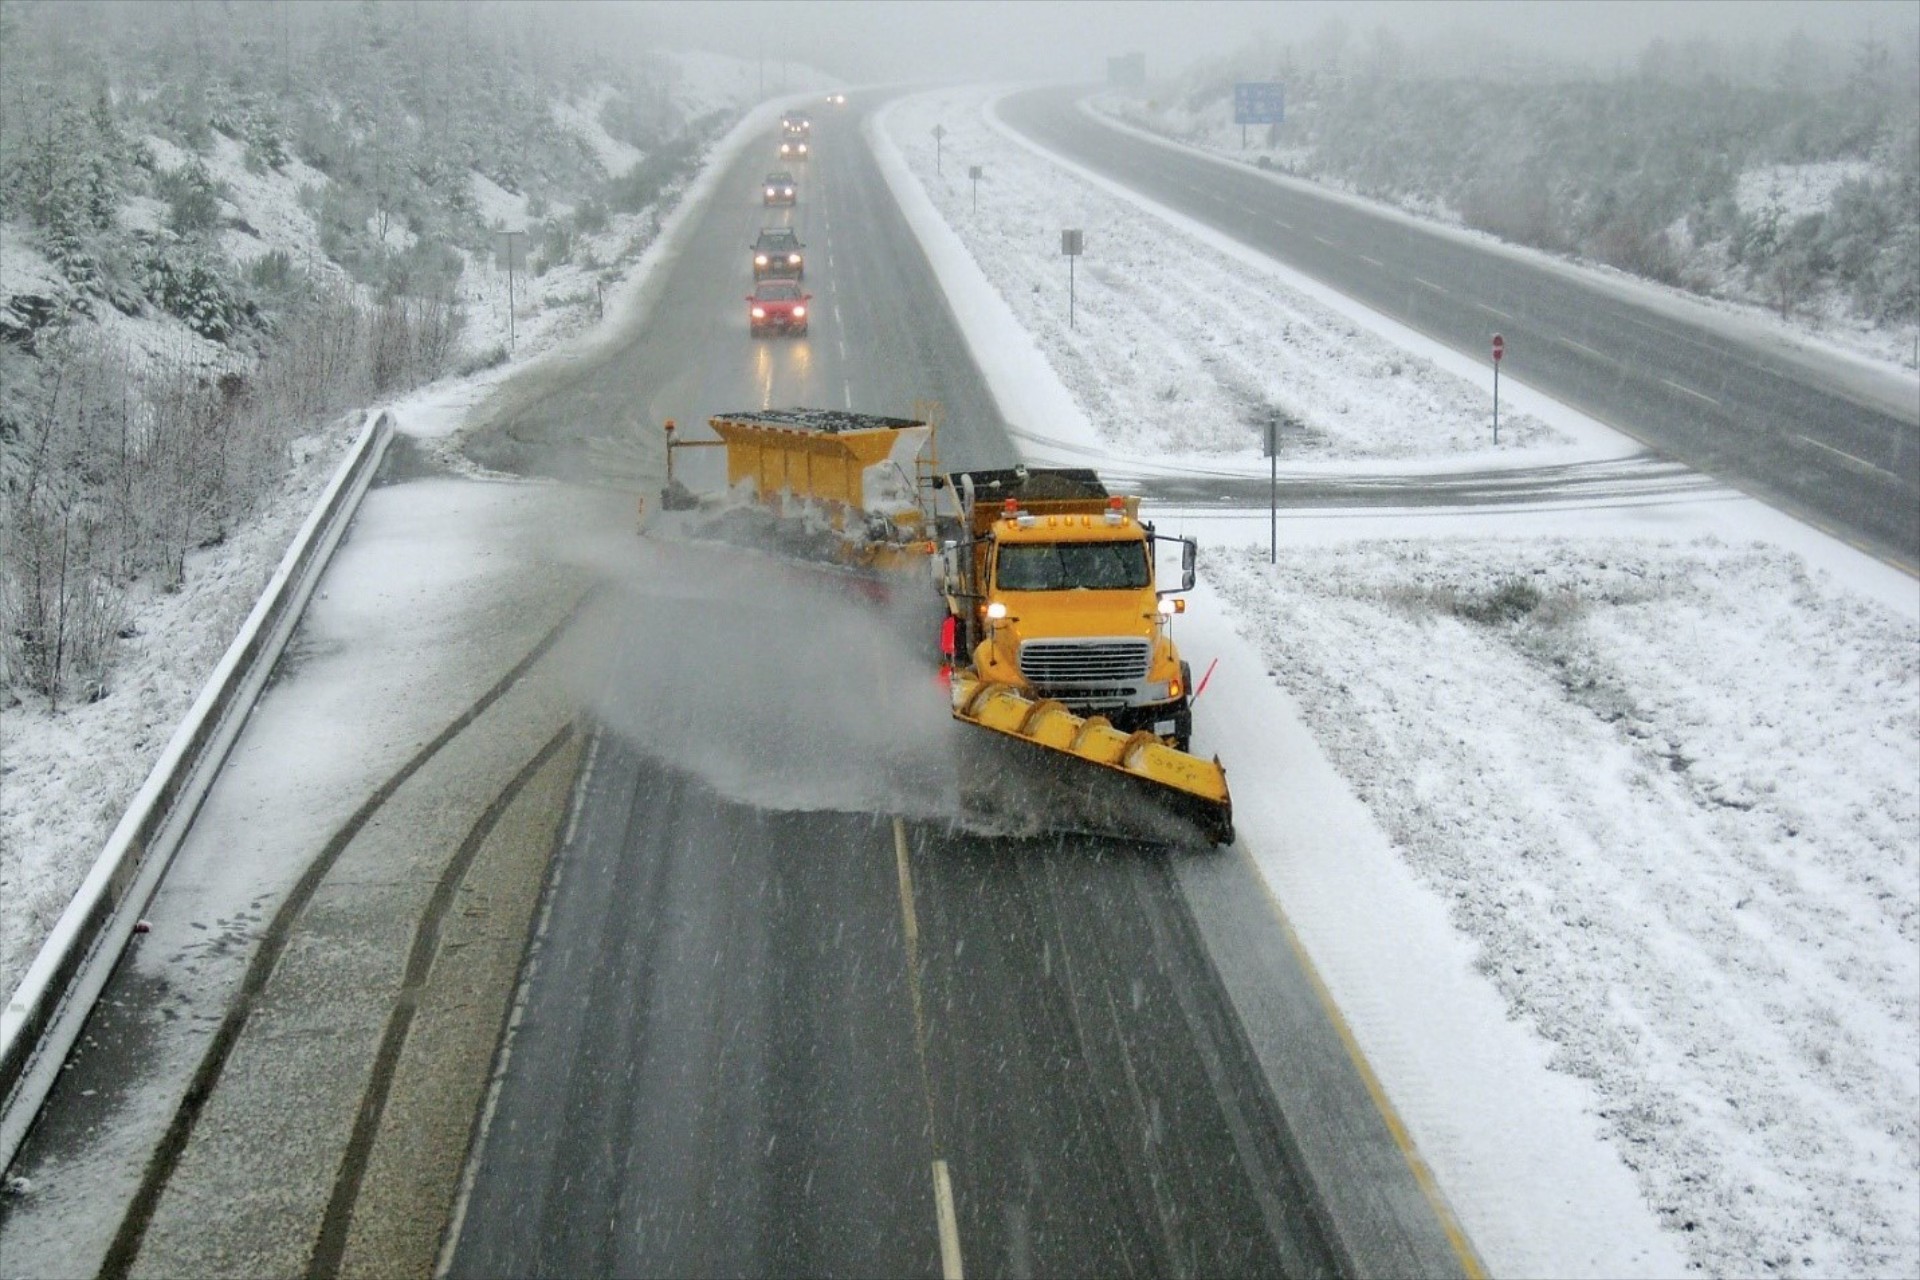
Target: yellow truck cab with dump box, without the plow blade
(1053,592)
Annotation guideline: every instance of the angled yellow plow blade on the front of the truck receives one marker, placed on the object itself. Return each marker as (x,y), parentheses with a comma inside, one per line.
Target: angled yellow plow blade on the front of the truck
(1140,786)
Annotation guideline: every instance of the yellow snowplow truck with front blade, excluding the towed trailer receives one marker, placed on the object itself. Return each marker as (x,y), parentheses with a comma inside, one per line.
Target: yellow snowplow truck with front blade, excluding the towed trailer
(1063,640)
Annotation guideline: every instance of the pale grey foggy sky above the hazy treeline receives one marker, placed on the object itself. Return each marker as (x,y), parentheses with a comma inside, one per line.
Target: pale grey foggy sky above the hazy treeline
(1072,39)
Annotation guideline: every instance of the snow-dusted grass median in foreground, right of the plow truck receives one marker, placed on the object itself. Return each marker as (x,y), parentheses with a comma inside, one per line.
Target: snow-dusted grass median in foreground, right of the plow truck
(1673,795)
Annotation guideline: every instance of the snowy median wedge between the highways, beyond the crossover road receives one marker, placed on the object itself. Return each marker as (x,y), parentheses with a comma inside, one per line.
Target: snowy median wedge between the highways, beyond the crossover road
(1161,318)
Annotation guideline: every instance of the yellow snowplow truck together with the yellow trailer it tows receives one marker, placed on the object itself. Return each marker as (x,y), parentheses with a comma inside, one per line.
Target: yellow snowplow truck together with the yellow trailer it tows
(1059,646)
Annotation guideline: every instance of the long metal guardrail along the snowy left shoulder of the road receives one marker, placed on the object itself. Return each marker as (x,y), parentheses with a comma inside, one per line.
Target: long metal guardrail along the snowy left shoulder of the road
(47,1012)
